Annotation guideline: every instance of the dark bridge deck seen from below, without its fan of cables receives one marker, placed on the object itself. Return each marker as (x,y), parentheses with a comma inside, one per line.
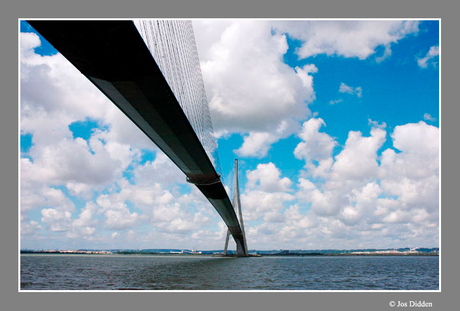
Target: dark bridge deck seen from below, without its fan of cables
(115,58)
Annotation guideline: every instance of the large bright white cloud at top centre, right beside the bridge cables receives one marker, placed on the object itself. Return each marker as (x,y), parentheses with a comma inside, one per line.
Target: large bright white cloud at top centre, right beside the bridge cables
(250,89)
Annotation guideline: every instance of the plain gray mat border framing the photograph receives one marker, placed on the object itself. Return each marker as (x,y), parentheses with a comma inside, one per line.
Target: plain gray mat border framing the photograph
(10,299)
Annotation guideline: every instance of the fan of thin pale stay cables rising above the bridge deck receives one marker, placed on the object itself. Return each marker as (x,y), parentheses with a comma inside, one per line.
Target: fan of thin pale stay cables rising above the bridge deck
(172,44)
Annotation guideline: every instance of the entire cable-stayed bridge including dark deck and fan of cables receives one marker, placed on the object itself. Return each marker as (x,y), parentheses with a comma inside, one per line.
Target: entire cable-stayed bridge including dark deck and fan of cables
(150,70)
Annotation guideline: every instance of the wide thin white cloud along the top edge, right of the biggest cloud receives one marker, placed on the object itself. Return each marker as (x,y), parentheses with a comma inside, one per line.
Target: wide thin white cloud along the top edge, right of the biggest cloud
(358,39)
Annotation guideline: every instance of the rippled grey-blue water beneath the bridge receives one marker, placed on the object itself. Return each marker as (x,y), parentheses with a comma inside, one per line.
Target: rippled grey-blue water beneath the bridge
(146,272)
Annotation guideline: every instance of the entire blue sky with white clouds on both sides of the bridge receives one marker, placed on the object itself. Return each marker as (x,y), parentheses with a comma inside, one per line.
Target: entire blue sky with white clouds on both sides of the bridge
(336,125)
